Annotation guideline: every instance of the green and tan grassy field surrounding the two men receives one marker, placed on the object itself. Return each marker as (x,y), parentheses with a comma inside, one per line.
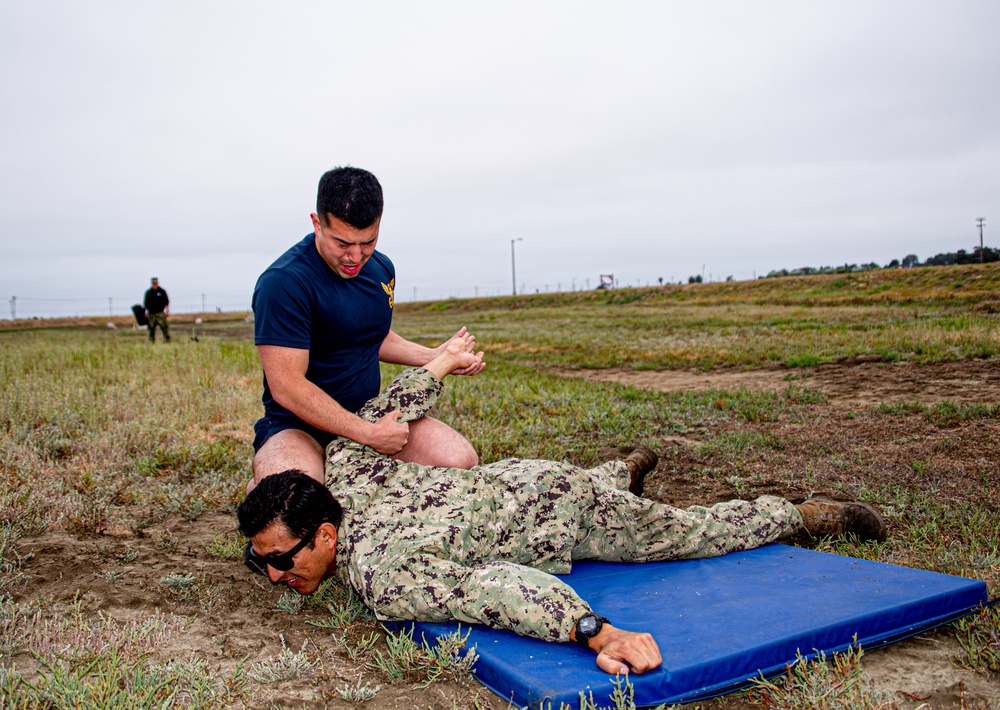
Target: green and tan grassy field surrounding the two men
(103,436)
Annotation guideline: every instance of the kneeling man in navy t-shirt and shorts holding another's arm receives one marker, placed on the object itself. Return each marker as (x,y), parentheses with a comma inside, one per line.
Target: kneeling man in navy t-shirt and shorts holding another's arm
(322,324)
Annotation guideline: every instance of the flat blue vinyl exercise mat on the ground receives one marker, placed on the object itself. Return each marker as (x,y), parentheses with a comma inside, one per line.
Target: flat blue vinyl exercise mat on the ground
(720,622)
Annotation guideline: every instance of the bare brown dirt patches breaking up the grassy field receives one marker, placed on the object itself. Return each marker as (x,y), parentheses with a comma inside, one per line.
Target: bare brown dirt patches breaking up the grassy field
(239,619)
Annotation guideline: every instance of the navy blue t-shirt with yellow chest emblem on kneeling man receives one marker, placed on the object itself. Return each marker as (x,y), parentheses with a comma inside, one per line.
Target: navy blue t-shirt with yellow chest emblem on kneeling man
(299,302)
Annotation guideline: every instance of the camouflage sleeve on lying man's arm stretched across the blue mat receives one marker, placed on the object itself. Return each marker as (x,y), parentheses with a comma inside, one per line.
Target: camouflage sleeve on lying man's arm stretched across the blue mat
(501,595)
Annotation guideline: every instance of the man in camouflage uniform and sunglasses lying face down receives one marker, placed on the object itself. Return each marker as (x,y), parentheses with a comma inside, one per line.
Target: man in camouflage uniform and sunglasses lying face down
(481,546)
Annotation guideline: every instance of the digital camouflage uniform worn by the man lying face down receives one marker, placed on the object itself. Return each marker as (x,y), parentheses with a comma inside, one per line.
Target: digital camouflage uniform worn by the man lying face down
(481,546)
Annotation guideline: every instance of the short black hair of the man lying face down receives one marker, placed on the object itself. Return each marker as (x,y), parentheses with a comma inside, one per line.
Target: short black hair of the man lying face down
(292,498)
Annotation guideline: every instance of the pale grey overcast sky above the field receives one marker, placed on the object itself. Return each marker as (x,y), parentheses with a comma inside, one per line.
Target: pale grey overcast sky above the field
(642,139)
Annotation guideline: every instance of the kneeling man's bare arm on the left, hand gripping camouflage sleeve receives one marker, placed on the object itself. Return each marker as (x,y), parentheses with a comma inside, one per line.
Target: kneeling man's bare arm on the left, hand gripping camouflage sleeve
(285,369)
